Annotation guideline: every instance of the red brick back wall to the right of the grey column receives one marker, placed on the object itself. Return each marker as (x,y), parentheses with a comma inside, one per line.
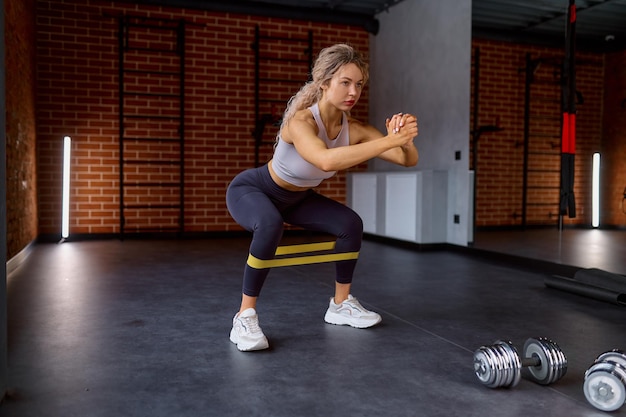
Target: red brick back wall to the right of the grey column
(500,155)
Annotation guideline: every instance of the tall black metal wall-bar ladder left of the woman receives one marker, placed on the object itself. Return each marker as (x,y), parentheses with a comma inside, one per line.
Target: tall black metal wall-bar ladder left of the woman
(151,124)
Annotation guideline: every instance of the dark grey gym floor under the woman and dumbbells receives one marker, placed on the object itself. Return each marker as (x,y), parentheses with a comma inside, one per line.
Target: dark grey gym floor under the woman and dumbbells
(140,328)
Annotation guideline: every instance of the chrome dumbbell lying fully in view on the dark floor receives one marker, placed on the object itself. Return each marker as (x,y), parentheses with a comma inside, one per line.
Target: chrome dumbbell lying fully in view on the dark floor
(500,365)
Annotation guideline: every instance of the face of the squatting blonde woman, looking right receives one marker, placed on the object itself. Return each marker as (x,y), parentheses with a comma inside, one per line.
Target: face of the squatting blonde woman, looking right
(345,87)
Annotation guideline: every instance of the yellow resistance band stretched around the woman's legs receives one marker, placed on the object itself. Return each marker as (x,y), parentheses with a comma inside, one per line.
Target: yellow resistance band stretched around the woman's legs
(301,260)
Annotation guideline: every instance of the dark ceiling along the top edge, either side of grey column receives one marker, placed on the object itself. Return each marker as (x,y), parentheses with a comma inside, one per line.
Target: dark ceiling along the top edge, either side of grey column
(600,25)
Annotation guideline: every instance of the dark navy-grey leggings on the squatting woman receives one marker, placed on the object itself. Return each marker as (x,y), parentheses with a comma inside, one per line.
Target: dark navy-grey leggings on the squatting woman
(260,206)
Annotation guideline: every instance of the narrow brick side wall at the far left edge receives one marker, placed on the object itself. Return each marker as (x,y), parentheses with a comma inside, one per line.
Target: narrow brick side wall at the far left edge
(21,181)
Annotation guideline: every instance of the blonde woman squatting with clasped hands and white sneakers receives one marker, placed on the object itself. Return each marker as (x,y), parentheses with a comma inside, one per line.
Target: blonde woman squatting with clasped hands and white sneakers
(317,138)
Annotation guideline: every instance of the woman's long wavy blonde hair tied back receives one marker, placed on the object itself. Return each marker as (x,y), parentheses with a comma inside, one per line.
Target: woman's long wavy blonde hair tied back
(328,62)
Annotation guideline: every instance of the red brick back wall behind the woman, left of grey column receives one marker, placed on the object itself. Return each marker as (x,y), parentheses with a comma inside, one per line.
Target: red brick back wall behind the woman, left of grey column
(77,95)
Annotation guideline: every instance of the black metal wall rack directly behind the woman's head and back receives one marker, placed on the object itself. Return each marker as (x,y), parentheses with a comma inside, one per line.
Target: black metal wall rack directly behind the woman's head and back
(275,56)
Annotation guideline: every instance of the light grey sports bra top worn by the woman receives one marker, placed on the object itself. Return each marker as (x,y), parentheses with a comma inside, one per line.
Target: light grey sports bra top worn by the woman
(291,167)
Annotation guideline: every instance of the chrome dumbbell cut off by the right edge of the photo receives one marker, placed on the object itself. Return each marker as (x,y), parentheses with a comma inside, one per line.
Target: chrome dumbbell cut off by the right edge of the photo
(605,381)
